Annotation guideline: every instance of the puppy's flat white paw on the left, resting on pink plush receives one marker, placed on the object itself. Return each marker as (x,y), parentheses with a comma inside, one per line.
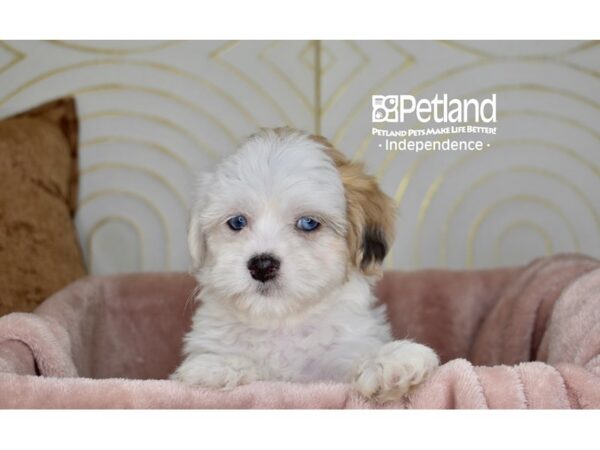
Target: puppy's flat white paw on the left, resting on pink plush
(216,371)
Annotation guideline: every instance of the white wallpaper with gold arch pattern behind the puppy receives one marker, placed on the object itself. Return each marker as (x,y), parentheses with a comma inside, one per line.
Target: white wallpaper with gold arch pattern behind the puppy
(153,113)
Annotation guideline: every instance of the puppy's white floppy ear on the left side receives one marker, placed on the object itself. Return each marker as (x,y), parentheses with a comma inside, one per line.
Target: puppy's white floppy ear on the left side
(196,236)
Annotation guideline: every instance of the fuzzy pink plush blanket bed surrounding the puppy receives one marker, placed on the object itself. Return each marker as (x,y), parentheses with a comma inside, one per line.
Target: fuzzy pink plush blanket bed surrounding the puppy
(525,337)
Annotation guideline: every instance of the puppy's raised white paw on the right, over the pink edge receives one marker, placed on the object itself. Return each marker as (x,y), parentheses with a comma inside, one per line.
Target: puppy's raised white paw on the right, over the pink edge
(397,366)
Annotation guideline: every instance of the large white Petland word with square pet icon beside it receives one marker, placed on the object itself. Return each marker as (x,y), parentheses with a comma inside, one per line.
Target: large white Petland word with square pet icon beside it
(399,108)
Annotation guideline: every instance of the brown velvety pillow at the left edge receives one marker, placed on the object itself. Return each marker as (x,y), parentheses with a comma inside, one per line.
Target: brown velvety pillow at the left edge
(39,252)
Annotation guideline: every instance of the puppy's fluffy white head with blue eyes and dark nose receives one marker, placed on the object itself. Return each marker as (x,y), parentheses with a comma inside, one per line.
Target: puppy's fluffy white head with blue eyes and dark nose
(274,228)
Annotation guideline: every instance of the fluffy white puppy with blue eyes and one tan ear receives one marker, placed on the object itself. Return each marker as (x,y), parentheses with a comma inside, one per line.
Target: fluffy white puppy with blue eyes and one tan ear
(287,239)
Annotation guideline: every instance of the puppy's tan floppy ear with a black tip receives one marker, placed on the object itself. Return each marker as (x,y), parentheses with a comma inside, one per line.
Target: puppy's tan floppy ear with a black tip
(370,212)
